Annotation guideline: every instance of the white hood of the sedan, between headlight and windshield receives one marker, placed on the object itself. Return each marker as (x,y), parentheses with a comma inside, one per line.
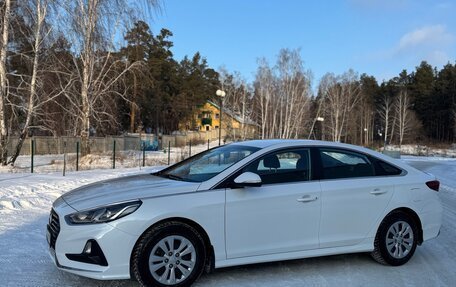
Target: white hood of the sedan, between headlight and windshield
(124,189)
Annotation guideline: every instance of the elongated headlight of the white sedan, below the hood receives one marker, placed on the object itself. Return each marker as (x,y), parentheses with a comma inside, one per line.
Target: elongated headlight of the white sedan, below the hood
(103,214)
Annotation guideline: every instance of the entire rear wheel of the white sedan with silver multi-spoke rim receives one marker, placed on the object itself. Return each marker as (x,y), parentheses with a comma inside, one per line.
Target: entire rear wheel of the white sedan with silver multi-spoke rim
(396,240)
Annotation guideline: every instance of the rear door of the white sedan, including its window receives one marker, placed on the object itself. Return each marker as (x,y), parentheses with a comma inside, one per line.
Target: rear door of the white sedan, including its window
(353,197)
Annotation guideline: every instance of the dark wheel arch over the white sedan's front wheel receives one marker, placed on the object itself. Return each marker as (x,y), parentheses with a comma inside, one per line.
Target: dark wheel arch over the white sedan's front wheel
(209,264)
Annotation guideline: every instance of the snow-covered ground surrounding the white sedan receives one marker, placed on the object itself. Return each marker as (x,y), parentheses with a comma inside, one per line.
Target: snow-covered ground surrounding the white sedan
(25,200)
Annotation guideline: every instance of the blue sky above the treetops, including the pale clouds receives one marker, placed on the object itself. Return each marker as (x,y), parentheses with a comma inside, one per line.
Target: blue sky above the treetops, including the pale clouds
(377,37)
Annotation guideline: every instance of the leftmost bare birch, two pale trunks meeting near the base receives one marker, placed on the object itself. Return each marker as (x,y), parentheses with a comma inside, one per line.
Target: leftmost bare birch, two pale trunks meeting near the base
(25,93)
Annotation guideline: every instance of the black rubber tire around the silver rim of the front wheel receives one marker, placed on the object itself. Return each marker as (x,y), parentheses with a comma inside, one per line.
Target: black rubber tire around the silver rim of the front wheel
(149,242)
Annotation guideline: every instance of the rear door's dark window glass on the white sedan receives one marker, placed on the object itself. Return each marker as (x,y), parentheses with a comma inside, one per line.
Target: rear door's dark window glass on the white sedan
(345,164)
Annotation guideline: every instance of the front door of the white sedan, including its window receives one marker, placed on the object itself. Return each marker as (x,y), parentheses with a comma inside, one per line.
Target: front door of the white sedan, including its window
(282,215)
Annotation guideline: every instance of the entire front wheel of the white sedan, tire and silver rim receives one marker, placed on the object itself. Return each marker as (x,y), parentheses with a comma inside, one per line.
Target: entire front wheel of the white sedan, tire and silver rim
(170,254)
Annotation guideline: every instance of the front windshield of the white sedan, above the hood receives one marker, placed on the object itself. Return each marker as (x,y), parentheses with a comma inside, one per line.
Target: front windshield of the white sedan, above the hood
(208,164)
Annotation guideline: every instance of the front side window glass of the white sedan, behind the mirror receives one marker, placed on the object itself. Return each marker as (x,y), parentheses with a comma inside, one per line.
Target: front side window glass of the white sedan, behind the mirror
(282,166)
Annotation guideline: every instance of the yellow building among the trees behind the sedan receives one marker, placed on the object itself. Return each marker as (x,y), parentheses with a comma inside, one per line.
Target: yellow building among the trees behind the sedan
(207,118)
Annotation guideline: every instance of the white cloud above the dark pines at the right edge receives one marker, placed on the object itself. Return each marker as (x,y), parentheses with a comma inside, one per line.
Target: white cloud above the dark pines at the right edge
(429,36)
